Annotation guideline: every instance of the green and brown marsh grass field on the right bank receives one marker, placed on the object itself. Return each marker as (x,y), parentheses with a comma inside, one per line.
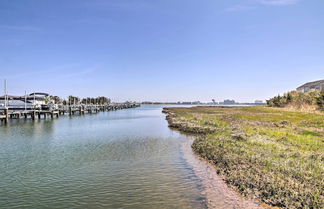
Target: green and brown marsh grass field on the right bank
(272,154)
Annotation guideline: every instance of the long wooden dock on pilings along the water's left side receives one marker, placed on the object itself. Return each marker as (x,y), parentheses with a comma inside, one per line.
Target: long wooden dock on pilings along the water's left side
(9,113)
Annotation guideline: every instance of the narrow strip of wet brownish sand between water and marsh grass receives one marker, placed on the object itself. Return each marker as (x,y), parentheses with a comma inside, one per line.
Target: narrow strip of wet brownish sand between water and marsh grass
(217,193)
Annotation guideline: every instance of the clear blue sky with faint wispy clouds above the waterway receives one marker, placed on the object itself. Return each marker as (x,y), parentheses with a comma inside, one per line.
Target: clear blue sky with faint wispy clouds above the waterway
(161,50)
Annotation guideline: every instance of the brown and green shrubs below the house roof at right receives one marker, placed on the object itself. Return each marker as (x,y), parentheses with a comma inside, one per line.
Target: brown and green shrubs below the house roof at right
(312,100)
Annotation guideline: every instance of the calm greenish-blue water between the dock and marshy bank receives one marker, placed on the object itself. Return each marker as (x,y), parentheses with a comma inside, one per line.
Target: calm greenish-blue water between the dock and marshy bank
(122,159)
